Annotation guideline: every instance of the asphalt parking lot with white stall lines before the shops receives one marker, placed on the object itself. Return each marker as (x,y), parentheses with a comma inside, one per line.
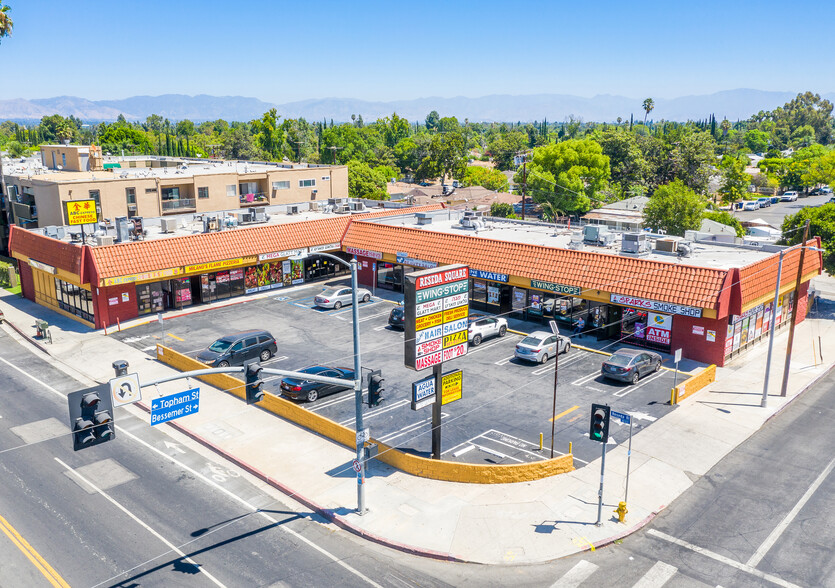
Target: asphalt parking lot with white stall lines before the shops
(505,406)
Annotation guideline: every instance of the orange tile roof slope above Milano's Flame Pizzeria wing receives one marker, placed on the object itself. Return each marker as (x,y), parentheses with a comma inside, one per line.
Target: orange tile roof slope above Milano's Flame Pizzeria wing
(143,256)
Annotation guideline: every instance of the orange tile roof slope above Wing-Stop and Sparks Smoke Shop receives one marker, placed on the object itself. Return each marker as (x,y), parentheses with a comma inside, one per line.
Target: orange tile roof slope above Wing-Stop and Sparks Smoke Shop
(657,280)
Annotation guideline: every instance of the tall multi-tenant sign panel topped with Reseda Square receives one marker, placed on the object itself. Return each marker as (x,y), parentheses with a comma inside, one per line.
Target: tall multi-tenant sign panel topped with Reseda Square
(436,316)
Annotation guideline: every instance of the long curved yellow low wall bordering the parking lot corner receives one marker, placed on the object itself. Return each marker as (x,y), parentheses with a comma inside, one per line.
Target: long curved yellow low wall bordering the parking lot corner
(433,469)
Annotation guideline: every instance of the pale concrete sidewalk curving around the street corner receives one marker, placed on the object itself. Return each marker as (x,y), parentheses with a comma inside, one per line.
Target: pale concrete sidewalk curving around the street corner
(494,524)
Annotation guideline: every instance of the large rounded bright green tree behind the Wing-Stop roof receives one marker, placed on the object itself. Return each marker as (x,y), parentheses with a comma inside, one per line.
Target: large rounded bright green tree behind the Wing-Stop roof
(568,174)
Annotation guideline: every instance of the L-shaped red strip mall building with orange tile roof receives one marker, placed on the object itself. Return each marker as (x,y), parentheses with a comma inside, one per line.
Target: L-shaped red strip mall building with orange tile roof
(713,305)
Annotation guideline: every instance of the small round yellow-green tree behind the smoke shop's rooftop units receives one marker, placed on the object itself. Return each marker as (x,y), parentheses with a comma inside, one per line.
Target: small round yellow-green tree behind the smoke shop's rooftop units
(674,208)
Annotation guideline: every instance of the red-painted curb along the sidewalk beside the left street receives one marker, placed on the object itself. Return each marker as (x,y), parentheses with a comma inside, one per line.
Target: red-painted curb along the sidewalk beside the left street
(325,513)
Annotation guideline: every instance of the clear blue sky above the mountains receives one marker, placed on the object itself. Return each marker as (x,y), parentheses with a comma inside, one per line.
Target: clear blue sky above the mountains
(285,51)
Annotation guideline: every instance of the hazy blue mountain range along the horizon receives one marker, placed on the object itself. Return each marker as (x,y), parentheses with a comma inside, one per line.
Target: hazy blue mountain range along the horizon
(730,104)
